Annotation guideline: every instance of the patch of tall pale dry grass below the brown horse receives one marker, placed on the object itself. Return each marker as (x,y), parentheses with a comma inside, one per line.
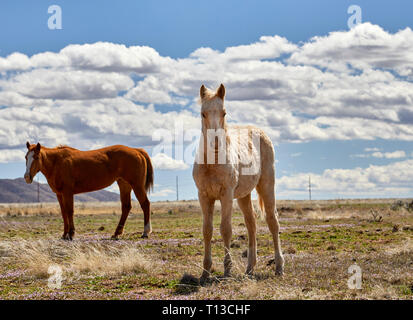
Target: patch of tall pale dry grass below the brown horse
(97,258)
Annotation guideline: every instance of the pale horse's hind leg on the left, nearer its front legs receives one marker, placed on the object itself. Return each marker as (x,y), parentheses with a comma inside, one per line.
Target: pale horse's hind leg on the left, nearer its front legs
(249,217)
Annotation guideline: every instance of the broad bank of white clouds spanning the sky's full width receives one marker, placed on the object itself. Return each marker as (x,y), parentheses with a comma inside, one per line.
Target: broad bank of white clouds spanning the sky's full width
(346,85)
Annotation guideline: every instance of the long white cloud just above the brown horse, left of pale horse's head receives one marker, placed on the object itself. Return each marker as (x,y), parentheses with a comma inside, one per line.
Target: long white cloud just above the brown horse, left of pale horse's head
(87,124)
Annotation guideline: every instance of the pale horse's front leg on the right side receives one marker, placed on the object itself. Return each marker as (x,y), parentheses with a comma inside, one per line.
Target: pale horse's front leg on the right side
(226,229)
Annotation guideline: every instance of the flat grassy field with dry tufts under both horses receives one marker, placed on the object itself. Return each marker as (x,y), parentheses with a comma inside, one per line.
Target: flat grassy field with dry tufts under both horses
(320,241)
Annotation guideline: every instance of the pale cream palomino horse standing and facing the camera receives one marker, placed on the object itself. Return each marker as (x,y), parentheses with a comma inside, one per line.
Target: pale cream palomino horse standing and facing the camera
(228,179)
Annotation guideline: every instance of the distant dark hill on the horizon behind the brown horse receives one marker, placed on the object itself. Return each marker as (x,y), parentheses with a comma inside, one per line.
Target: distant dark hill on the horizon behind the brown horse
(18,191)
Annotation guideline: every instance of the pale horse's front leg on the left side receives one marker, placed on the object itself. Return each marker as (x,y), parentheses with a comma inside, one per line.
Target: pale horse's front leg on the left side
(207,207)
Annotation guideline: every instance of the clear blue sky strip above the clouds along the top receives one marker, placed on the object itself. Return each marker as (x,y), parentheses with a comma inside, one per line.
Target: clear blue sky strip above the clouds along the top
(176,28)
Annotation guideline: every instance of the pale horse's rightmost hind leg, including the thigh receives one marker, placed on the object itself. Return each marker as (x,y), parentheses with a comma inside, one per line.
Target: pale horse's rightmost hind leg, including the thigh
(265,189)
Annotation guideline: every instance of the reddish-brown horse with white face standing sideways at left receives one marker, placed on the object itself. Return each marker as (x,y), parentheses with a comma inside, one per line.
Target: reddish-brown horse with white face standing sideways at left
(70,171)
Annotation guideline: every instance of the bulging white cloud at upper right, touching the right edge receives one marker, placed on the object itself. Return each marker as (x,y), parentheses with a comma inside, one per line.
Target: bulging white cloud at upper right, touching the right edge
(365,46)
